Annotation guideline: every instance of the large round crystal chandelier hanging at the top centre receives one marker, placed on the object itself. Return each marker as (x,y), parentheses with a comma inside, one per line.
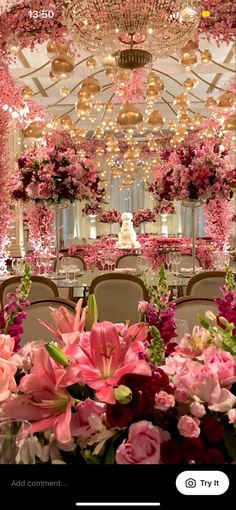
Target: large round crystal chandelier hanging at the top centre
(135,31)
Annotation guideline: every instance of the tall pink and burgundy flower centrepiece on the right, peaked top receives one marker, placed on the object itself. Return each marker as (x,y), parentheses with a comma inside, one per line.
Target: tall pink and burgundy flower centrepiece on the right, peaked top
(198,169)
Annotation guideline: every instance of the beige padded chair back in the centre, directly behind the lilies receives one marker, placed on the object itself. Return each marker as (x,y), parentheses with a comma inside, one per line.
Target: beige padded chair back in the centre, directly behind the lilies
(117,297)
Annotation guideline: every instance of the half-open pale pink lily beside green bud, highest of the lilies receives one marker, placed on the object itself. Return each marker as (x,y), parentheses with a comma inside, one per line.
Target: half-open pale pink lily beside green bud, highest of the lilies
(68,328)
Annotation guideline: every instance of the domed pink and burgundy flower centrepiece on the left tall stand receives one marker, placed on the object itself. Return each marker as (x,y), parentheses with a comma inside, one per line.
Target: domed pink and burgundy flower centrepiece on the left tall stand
(55,174)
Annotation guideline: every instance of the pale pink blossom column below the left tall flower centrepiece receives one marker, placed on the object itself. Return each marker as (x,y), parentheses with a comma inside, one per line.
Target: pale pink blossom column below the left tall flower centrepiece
(41,223)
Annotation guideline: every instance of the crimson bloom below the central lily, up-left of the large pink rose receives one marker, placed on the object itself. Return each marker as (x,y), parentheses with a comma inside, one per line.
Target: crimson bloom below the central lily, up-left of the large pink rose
(80,425)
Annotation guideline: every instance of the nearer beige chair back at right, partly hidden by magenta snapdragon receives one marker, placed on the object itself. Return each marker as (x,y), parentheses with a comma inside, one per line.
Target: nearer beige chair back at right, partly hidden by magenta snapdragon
(189,309)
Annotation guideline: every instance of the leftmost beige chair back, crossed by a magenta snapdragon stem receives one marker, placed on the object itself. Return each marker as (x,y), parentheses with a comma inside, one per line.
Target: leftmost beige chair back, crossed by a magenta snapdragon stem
(41,288)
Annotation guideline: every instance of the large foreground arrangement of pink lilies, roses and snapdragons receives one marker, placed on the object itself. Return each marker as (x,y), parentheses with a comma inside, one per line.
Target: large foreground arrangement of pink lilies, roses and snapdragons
(129,394)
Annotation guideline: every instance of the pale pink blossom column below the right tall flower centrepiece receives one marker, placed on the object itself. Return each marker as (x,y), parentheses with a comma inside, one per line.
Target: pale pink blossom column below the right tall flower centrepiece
(218,225)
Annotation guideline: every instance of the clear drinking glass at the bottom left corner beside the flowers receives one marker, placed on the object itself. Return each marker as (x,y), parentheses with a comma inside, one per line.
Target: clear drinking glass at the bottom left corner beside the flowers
(16,442)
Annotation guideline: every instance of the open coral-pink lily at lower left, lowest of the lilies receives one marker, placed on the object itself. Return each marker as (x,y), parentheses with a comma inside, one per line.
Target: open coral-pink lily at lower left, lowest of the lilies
(45,400)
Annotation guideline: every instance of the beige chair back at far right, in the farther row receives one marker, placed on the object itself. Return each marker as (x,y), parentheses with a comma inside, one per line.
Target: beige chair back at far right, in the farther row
(207,284)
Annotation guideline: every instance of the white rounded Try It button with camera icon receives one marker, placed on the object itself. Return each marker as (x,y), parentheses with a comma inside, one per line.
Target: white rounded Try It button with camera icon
(202,483)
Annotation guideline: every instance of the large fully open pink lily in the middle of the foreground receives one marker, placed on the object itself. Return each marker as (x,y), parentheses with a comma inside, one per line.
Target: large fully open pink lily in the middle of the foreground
(108,358)
